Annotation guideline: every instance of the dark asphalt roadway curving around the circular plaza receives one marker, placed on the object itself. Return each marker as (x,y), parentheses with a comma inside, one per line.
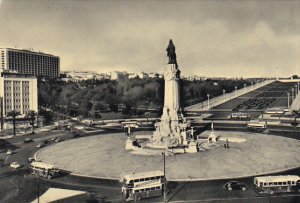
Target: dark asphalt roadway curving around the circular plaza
(19,186)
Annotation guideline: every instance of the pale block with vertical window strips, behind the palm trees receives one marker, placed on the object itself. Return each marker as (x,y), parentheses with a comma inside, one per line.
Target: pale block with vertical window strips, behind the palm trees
(18,92)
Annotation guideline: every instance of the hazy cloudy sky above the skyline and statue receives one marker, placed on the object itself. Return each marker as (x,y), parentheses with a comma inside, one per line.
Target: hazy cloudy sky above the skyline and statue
(222,38)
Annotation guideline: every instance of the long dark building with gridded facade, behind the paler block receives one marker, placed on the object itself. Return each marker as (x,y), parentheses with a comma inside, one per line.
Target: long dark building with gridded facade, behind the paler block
(28,62)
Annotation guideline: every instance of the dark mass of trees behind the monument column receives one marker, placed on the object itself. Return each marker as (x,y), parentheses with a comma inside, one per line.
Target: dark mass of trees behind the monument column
(91,95)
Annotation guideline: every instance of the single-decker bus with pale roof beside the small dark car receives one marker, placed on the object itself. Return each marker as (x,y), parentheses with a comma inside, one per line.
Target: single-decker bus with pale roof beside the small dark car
(277,184)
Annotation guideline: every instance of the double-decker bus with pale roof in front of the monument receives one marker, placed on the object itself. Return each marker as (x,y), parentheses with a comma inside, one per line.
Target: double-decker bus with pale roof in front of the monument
(138,186)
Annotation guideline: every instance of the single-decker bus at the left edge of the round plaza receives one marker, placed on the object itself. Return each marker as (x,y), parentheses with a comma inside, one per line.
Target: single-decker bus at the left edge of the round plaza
(43,169)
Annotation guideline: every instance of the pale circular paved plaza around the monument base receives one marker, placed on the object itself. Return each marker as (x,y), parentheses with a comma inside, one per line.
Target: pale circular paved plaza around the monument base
(105,156)
